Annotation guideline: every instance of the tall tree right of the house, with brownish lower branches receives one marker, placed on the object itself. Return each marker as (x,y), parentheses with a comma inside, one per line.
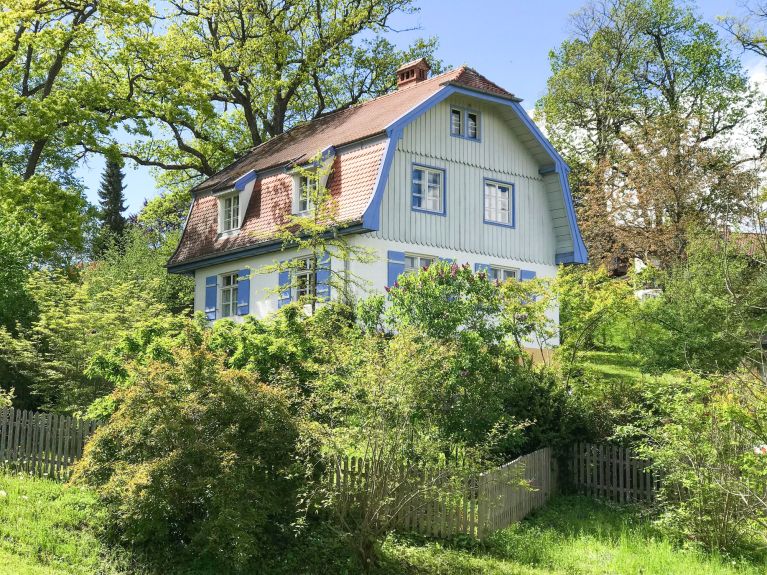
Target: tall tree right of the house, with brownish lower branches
(646,101)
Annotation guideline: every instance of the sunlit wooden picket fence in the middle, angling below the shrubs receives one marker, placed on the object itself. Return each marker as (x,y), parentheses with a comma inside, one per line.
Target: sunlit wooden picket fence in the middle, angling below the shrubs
(433,503)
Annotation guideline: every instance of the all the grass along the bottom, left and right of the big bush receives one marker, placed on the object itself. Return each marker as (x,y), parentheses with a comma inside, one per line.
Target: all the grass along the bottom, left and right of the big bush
(44,531)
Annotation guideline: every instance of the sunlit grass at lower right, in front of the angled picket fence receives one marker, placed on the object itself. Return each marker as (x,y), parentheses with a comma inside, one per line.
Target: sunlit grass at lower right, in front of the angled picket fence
(571,536)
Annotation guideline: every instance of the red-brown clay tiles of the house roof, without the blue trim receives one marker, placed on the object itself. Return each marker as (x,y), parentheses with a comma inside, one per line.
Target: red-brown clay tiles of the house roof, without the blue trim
(352,179)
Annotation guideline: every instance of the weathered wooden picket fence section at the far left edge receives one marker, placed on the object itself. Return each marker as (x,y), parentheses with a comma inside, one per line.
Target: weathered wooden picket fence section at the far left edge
(41,443)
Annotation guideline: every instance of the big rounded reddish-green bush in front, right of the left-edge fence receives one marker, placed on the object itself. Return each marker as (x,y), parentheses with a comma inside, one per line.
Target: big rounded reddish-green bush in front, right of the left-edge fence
(196,458)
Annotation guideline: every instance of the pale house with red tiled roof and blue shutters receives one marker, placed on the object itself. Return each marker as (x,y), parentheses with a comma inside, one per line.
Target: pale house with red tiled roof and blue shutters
(448,167)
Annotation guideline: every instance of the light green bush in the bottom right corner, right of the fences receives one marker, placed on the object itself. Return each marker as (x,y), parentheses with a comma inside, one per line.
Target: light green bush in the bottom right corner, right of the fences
(701,435)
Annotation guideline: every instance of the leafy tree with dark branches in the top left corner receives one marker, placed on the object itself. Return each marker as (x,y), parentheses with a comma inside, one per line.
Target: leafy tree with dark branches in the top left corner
(56,89)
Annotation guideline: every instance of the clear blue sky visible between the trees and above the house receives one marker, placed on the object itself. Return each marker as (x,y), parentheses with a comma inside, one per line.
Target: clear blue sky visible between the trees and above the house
(507,41)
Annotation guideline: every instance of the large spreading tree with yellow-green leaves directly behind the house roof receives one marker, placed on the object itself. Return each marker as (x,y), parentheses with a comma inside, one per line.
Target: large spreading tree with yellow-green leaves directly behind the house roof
(228,75)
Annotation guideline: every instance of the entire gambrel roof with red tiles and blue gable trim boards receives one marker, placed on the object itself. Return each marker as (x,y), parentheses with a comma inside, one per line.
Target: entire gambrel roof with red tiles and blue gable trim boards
(362,140)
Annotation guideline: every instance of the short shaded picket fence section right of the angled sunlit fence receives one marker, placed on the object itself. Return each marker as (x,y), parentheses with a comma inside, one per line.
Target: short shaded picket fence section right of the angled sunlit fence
(611,472)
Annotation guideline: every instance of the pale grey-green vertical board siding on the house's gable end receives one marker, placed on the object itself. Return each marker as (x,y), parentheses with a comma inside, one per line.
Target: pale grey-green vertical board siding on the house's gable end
(501,154)
